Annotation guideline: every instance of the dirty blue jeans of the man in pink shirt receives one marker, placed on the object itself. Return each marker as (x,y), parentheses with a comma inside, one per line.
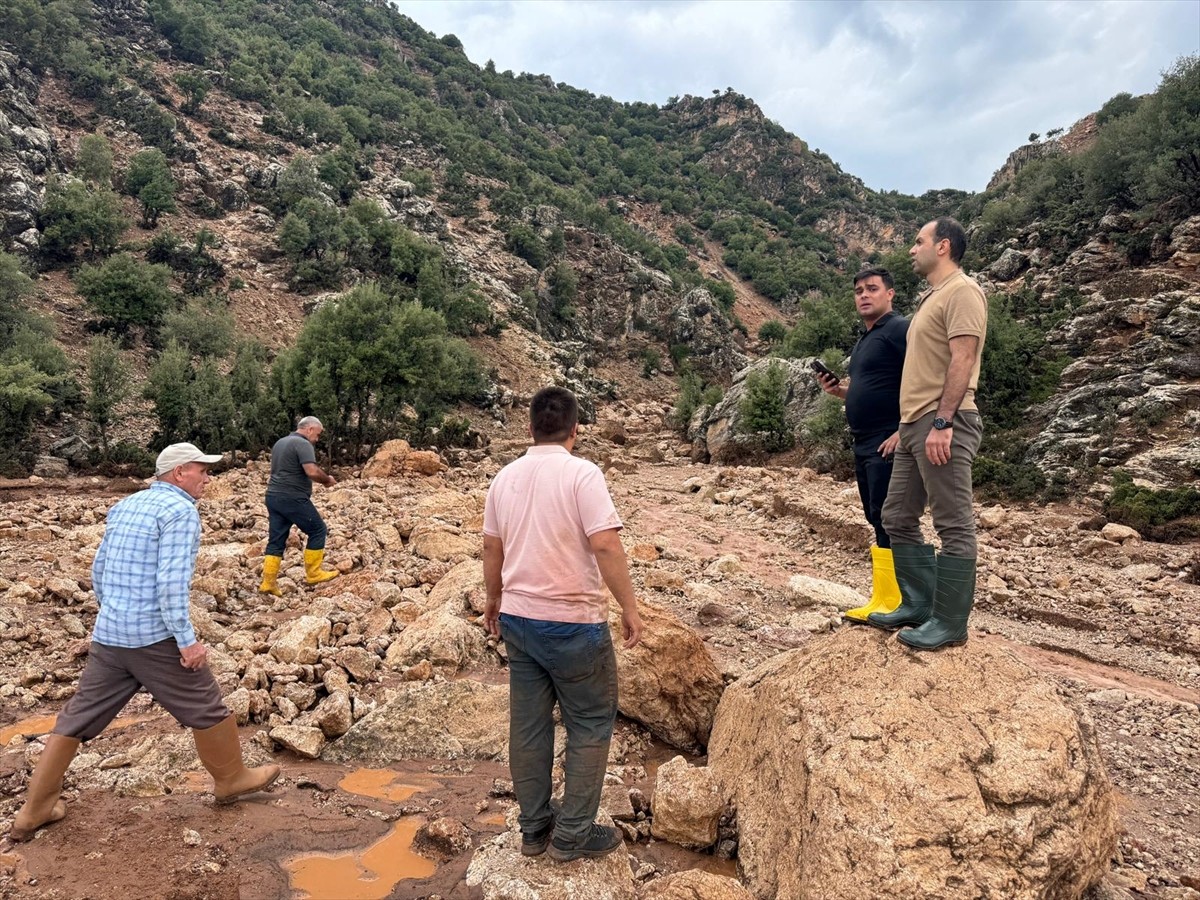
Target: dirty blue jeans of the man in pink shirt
(575,665)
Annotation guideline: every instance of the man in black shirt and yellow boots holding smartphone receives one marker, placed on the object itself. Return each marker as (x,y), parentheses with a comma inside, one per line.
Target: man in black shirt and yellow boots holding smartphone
(873,412)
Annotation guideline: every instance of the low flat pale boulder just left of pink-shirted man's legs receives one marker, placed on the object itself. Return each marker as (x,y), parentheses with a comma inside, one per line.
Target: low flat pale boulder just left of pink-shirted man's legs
(451,721)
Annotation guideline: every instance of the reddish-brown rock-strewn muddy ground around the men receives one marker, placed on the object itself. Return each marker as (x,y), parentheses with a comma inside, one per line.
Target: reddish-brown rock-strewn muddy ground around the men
(755,561)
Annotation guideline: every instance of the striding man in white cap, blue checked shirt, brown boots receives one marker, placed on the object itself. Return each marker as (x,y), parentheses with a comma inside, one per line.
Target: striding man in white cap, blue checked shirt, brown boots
(145,639)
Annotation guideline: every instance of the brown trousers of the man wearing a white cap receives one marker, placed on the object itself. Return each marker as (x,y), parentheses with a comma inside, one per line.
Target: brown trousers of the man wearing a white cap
(115,675)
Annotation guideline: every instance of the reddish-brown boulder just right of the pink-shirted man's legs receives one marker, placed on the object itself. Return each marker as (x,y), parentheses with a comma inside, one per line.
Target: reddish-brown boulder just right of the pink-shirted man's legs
(669,682)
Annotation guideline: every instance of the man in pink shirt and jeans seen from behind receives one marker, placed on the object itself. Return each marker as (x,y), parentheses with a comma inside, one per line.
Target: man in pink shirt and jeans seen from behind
(551,544)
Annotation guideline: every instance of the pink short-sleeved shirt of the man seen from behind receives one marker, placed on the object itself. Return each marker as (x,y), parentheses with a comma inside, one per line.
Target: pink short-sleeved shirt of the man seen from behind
(544,507)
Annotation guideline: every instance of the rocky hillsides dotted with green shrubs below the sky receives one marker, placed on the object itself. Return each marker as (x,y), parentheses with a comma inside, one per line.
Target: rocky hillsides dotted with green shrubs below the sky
(273,155)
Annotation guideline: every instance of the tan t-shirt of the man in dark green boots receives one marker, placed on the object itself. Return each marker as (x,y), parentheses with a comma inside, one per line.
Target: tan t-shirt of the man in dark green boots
(955,309)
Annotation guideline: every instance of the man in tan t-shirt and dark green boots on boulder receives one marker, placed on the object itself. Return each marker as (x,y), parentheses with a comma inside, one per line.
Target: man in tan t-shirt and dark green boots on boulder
(940,435)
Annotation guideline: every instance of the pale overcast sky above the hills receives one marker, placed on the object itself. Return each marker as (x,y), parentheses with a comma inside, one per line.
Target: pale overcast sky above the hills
(909,95)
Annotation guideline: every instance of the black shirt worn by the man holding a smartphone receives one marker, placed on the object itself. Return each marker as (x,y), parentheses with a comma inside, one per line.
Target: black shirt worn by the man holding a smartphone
(873,401)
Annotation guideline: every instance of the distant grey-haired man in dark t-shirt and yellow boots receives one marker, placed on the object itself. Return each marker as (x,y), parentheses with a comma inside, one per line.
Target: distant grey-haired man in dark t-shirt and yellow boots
(290,503)
